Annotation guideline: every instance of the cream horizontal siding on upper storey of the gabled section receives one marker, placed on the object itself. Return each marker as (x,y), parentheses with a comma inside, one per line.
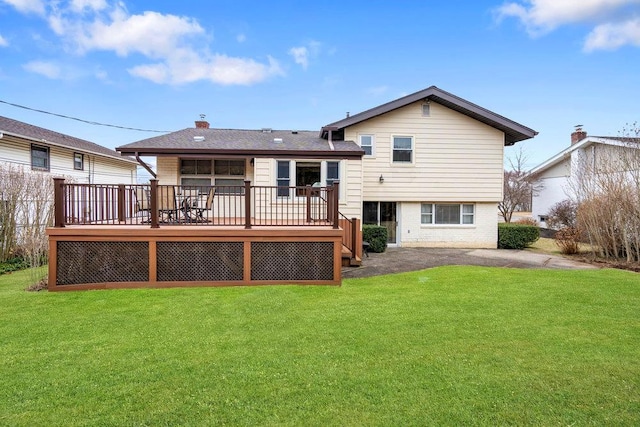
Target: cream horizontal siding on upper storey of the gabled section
(456,158)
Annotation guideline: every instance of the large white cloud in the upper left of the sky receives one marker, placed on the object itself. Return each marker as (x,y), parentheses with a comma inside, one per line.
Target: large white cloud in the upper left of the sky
(175,47)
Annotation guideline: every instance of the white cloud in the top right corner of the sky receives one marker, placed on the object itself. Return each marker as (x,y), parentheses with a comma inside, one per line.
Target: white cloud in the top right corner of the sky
(543,16)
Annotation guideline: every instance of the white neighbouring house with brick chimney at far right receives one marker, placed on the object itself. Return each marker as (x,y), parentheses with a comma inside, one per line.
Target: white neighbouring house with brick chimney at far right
(556,173)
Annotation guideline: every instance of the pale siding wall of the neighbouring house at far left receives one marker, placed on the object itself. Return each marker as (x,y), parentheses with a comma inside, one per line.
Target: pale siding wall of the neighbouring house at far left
(97,169)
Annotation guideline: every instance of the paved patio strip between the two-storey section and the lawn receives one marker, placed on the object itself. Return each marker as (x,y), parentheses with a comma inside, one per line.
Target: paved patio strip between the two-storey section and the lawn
(397,260)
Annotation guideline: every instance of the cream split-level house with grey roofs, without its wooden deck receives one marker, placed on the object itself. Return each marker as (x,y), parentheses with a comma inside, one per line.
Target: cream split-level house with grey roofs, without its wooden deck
(428,166)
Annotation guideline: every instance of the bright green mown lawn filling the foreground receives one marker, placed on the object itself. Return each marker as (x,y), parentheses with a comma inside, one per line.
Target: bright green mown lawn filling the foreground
(450,345)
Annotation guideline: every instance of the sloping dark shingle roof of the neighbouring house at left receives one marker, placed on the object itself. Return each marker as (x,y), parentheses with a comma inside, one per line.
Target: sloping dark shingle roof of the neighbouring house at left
(45,136)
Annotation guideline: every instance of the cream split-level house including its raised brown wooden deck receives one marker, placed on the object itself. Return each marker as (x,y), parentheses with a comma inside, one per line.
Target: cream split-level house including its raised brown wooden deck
(265,206)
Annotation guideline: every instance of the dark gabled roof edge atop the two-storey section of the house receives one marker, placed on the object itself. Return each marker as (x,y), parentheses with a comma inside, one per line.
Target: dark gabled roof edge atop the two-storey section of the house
(513,131)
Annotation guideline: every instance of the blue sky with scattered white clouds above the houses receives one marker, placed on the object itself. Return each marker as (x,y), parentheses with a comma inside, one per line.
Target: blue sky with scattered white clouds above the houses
(547,64)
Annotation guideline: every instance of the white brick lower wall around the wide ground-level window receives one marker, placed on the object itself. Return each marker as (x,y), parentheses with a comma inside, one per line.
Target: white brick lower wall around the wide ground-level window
(482,234)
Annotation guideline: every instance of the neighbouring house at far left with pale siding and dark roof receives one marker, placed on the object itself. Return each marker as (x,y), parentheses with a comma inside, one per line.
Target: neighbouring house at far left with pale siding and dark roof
(43,150)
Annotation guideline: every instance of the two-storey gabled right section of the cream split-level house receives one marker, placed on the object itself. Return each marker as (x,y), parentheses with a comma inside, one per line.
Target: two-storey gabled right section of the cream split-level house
(432,172)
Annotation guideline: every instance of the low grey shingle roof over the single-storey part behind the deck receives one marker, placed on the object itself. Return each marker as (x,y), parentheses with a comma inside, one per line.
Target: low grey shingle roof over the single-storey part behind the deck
(254,143)
